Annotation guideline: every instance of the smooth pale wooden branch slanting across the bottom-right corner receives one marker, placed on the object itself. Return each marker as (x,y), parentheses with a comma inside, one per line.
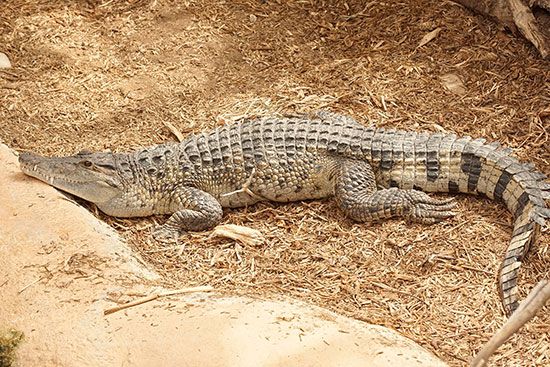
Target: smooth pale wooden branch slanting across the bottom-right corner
(525,312)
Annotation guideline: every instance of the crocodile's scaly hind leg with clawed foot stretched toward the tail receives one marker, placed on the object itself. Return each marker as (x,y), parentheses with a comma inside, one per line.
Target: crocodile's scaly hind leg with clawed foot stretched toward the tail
(357,195)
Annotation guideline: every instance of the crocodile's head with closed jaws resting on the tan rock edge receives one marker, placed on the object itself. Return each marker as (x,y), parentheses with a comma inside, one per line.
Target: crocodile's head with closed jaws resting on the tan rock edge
(91,176)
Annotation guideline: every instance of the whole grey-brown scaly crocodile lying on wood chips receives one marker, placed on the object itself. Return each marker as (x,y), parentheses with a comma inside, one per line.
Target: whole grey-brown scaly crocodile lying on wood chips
(372,173)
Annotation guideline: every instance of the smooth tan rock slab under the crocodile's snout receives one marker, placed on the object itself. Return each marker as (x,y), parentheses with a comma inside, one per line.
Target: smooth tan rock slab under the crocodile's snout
(60,268)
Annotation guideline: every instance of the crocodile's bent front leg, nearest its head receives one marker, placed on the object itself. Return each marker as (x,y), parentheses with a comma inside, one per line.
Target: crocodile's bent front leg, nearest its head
(194,210)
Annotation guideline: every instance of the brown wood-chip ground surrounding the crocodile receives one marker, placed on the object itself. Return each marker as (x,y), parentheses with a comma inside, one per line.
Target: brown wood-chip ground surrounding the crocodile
(107,75)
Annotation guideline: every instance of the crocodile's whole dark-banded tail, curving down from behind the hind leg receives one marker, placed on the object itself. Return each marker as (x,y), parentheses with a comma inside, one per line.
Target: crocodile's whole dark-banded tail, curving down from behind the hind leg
(447,163)
